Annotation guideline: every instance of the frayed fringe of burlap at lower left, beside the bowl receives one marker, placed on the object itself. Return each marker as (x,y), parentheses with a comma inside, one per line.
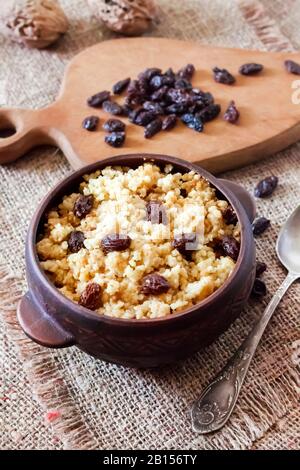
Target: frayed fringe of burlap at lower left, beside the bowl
(43,374)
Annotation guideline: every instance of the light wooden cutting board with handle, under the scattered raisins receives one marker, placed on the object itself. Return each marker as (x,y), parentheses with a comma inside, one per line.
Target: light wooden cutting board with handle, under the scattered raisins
(269,120)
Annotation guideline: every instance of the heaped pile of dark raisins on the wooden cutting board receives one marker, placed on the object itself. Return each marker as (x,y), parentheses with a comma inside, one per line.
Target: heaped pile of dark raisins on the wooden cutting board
(156,100)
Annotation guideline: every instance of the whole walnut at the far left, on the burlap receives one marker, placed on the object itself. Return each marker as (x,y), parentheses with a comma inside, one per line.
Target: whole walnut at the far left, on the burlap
(36,23)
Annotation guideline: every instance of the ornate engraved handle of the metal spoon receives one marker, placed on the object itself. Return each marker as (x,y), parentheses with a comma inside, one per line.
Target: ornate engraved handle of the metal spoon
(215,405)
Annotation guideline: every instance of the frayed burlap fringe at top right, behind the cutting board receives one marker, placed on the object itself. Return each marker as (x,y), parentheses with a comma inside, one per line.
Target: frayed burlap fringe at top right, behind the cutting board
(265,27)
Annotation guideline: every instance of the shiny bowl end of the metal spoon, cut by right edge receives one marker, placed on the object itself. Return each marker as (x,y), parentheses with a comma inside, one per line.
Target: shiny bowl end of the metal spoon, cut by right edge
(288,243)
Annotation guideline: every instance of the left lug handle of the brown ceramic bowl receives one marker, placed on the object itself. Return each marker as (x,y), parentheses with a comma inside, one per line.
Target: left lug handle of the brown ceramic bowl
(40,326)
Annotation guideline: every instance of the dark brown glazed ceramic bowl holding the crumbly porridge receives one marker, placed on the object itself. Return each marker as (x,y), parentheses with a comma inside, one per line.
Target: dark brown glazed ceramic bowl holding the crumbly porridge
(54,321)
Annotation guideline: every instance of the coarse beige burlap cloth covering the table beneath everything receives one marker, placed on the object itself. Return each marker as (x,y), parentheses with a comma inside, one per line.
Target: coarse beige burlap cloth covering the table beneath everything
(104,406)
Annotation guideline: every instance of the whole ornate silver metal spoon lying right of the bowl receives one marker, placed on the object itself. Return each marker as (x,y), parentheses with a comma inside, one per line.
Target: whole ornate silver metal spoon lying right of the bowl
(215,405)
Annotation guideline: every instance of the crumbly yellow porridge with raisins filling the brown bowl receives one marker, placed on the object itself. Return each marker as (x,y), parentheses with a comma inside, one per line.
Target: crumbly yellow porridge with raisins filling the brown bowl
(140,243)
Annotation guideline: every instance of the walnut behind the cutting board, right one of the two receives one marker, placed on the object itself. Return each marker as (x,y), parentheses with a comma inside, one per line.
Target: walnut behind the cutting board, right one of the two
(129,17)
